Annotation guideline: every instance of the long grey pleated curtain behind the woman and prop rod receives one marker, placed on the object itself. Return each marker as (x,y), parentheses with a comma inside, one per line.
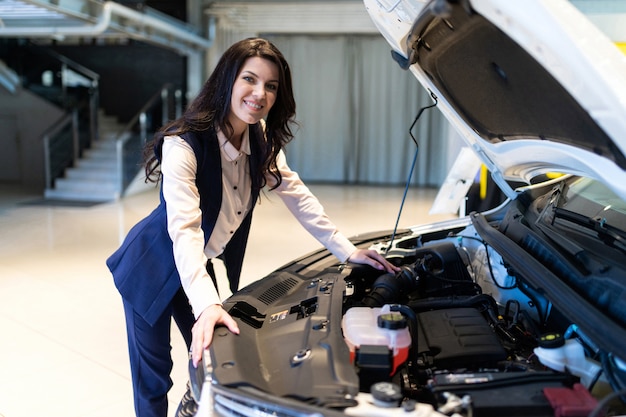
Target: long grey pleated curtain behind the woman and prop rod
(355,106)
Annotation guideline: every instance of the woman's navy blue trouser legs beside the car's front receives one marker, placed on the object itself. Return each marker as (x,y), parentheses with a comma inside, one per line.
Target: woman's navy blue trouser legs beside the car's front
(150,354)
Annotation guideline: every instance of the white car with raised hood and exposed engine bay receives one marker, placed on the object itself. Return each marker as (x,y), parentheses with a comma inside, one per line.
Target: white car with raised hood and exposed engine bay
(518,311)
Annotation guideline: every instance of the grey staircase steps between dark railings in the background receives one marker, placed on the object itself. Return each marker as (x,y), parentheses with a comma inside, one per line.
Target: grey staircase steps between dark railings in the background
(94,178)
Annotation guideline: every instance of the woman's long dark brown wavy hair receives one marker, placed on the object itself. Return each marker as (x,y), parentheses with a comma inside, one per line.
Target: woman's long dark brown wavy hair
(211,108)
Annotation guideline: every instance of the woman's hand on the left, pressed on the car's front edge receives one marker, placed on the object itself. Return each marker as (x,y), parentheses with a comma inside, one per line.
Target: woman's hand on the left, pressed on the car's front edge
(202,331)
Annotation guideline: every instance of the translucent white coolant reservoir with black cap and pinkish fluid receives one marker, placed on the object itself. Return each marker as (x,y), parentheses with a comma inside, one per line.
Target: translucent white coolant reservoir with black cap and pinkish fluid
(378,327)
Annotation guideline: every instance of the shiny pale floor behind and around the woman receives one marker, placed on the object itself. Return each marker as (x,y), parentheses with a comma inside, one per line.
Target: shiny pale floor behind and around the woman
(62,335)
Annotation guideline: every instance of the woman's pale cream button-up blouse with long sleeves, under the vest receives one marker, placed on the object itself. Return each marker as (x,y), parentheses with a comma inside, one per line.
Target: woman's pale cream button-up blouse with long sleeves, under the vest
(184,216)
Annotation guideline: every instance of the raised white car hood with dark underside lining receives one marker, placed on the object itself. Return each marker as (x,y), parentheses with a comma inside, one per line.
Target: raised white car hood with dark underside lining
(532,86)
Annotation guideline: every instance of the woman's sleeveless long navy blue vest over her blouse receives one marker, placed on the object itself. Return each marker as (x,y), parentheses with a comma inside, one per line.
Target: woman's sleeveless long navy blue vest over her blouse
(143,267)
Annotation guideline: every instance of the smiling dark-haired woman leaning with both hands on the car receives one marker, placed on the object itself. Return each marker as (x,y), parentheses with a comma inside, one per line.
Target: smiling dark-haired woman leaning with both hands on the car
(213,161)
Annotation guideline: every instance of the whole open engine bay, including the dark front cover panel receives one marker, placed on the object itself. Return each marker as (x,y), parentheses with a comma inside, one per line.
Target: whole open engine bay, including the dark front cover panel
(457,331)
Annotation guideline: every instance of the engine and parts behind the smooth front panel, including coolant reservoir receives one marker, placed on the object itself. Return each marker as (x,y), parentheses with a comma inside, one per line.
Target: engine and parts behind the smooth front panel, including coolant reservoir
(454,329)
